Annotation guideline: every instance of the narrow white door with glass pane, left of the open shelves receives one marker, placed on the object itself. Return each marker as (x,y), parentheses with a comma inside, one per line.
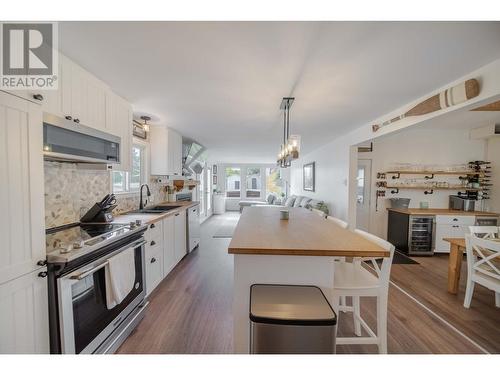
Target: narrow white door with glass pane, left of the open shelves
(363,190)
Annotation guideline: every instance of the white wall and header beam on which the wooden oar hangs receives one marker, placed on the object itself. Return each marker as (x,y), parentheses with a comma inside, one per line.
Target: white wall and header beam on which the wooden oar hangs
(335,167)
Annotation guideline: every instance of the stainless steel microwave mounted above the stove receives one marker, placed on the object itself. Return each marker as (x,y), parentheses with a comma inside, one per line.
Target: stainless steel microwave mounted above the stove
(65,140)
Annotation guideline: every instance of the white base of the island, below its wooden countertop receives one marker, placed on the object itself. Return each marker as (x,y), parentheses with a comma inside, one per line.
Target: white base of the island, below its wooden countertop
(273,269)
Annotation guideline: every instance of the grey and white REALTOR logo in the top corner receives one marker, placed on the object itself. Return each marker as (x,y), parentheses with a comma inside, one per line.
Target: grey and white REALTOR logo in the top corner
(29,56)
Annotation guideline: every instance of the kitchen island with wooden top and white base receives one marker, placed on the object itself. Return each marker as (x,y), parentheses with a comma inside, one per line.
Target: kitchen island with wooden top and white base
(298,251)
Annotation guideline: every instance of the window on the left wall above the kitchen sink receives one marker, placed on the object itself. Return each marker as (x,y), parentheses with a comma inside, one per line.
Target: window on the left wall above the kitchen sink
(124,182)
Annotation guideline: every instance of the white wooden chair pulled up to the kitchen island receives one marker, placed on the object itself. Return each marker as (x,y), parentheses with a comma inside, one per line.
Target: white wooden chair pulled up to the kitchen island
(355,280)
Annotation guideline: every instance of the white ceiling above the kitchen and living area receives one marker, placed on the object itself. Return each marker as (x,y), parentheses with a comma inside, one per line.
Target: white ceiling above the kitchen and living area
(221,83)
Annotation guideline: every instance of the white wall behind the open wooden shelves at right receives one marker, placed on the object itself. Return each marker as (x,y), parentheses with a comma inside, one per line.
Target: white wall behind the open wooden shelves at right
(420,146)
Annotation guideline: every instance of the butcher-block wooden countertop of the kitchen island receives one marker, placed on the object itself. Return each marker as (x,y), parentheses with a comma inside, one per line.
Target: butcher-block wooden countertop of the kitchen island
(261,232)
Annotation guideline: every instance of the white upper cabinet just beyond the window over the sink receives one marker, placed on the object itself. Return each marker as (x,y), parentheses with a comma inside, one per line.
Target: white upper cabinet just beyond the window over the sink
(166,152)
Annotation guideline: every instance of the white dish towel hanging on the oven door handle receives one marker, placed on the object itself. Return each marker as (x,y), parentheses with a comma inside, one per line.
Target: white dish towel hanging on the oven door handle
(120,277)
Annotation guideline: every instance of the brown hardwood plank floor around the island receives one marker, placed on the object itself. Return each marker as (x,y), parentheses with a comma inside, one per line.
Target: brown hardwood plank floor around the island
(190,311)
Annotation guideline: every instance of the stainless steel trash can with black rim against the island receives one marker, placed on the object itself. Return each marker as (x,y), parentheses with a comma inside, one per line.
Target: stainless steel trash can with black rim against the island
(291,319)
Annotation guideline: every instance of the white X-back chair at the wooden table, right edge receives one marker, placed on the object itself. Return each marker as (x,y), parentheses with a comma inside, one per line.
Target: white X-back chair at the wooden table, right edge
(483,266)
